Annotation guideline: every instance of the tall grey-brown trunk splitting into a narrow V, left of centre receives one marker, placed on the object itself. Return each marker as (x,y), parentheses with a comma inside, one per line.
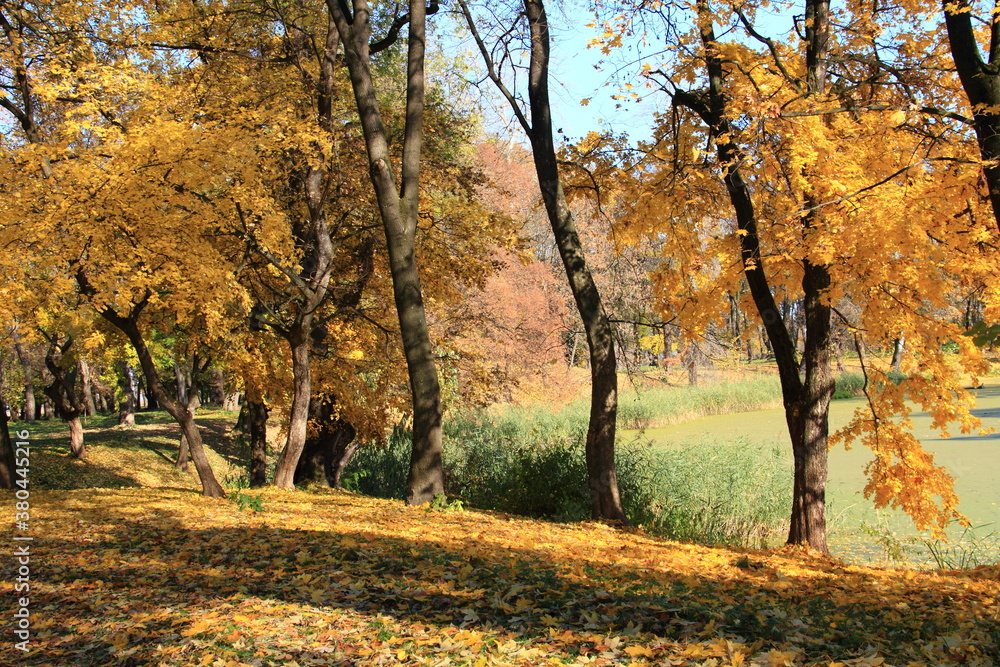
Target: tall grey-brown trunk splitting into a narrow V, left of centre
(399,217)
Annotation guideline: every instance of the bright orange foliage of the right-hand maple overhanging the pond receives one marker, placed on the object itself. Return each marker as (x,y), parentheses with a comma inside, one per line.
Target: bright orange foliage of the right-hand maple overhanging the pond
(902,225)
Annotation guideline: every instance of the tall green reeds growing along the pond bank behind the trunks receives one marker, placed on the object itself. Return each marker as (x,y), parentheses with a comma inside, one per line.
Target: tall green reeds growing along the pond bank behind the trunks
(530,461)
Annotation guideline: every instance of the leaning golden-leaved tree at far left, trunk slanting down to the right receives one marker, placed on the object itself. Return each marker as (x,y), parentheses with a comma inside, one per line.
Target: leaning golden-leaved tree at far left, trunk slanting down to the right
(110,260)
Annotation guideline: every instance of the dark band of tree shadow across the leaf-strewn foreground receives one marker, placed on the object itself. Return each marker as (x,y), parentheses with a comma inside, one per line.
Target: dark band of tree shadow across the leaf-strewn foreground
(168,576)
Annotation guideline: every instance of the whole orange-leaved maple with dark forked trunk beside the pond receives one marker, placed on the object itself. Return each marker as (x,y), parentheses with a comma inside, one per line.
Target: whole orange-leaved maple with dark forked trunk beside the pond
(764,173)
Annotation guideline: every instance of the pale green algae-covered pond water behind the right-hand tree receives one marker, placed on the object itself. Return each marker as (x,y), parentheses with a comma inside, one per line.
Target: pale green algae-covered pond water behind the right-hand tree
(858,532)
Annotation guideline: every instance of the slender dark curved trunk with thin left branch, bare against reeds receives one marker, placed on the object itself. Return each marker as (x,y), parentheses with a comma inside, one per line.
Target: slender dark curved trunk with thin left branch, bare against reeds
(600,444)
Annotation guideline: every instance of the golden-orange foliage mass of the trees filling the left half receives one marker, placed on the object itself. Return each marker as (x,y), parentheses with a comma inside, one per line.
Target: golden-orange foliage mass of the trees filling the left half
(174,160)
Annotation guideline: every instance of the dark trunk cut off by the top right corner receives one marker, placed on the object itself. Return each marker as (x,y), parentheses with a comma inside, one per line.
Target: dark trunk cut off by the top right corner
(981,82)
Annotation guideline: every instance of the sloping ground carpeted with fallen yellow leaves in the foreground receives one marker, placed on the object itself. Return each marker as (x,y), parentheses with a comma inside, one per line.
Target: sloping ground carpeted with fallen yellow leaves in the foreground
(166,577)
